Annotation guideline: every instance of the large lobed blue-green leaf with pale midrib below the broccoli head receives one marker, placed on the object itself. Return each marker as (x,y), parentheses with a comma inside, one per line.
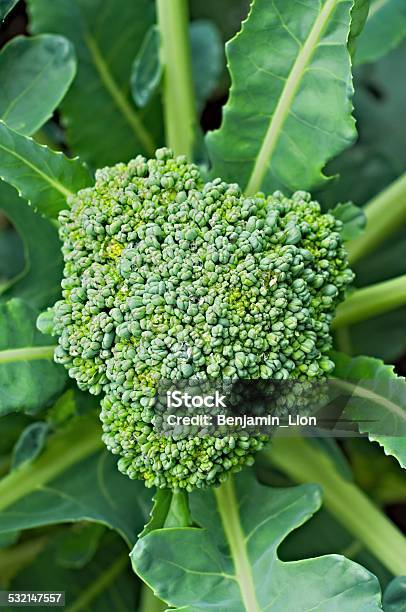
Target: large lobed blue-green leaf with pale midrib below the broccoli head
(231,562)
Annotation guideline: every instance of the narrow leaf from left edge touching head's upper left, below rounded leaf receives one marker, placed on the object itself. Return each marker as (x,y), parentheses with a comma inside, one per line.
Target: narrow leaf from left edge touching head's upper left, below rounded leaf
(44,177)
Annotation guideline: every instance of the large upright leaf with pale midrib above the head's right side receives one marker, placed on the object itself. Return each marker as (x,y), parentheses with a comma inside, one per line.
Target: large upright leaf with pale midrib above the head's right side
(289,109)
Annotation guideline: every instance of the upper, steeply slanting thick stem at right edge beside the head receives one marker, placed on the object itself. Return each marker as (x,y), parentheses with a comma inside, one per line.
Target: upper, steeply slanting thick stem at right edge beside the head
(385,214)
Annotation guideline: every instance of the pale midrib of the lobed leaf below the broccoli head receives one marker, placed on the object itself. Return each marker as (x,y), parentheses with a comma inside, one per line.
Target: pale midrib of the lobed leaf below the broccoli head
(228,509)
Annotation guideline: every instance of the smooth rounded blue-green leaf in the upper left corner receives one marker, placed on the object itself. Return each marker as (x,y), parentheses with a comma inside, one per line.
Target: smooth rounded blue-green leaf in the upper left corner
(35,74)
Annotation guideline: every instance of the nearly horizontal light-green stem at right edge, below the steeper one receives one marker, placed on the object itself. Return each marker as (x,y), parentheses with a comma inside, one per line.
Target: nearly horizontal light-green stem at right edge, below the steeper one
(371,301)
